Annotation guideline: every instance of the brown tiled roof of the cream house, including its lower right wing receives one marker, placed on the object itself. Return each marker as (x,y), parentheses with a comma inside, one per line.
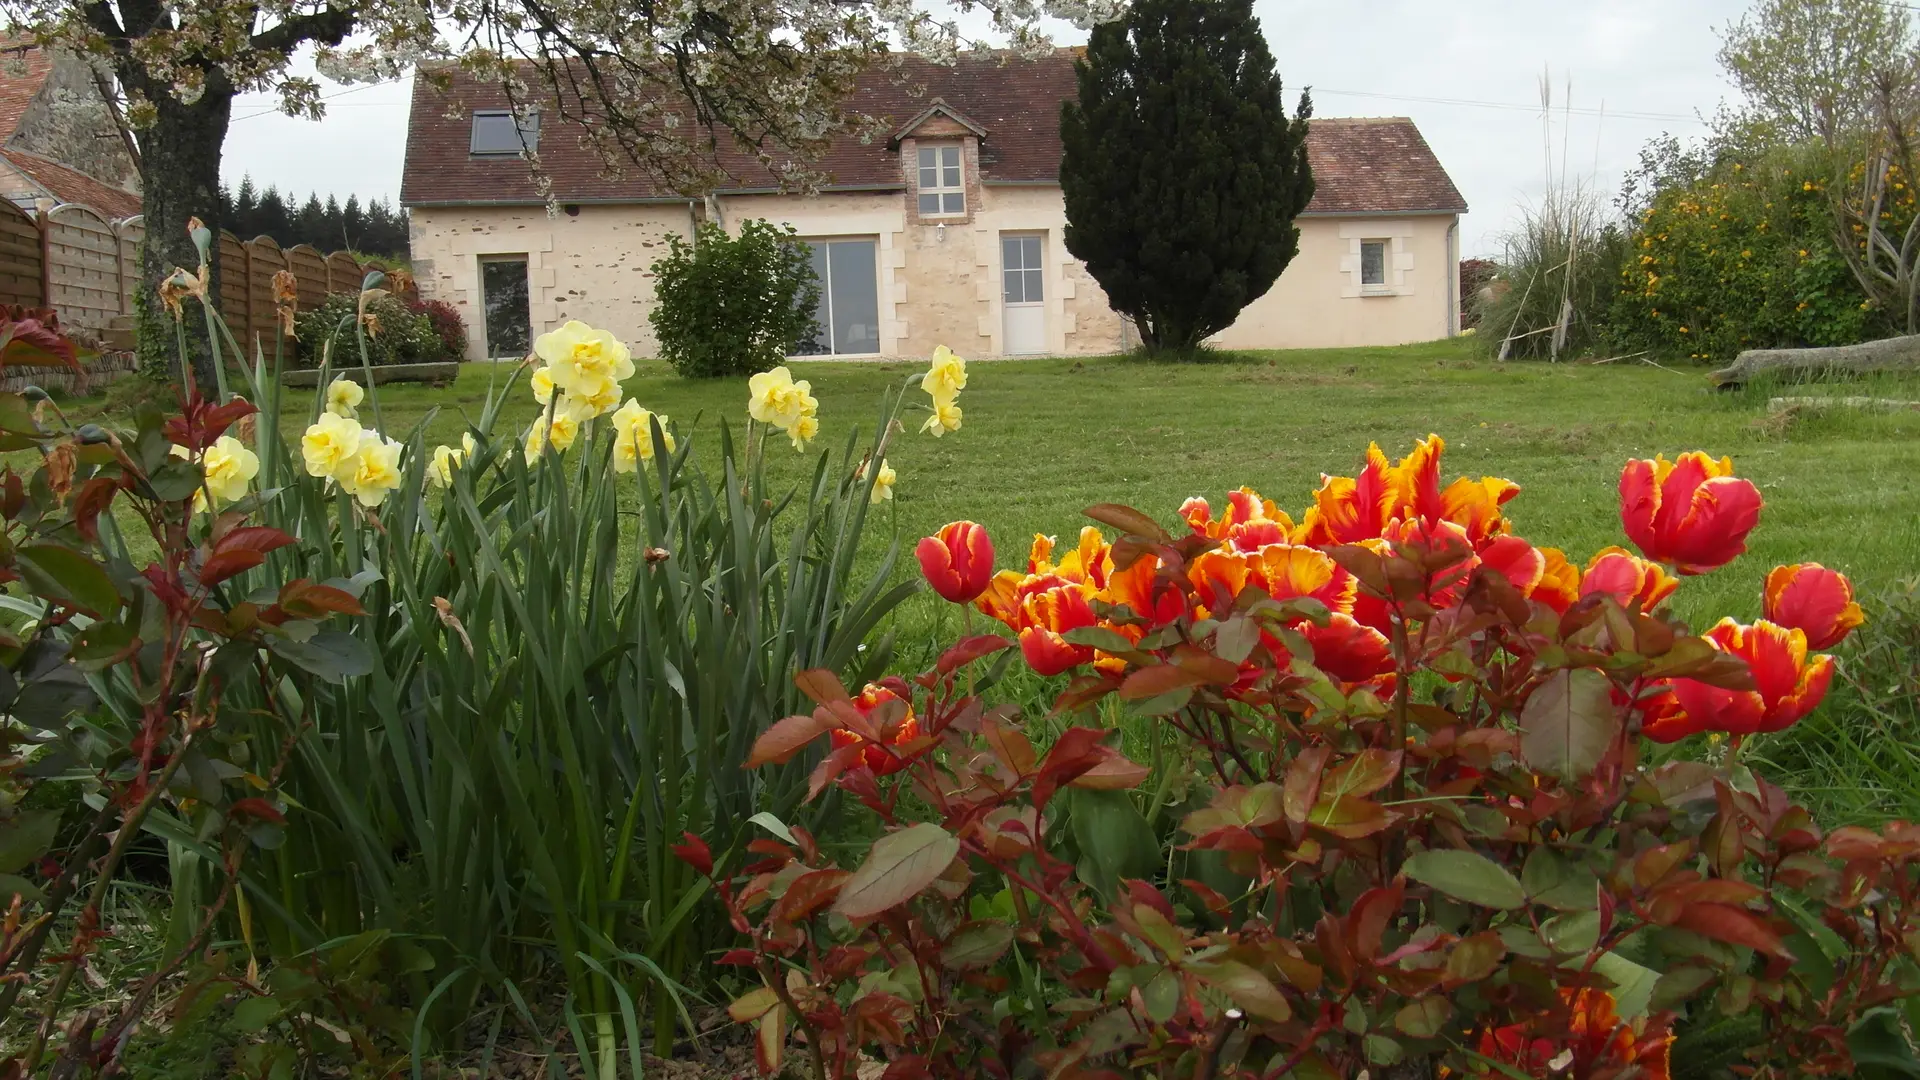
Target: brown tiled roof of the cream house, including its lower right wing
(1360,166)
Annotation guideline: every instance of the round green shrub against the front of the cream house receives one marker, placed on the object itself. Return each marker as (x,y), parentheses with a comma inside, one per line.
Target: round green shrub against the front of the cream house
(734,305)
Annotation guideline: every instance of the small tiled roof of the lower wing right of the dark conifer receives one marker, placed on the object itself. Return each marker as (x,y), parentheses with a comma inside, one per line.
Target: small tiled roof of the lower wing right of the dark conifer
(1378,166)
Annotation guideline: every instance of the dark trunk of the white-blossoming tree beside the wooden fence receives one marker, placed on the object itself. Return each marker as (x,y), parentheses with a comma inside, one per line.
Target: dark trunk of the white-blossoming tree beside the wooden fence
(180,180)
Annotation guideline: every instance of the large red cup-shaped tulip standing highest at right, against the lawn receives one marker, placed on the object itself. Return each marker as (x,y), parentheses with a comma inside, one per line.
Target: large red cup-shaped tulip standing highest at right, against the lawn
(1691,514)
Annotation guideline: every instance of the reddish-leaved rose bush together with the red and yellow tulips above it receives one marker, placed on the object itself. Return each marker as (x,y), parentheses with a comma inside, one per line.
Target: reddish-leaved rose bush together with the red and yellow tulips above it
(1420,825)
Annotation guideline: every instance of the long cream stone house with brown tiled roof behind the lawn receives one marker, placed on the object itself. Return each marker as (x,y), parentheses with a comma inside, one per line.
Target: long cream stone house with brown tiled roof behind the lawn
(948,232)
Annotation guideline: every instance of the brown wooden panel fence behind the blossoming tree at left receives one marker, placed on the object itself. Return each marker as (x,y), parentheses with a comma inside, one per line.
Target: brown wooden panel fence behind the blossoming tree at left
(87,268)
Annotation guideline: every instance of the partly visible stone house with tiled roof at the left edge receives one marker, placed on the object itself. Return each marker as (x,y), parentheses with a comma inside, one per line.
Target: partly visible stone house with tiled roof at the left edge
(59,139)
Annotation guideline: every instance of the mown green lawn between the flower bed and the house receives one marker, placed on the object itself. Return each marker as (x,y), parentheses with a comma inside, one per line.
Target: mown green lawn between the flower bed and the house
(1049,437)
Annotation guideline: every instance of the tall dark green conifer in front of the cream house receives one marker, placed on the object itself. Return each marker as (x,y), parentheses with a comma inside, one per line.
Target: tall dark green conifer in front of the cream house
(1184,172)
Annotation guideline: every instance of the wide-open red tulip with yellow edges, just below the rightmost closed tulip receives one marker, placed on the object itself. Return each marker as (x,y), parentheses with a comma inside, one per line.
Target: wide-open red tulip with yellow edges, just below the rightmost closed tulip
(1787,683)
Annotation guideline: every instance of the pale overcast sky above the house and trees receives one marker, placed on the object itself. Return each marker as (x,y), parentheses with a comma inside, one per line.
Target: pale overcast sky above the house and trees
(1466,70)
